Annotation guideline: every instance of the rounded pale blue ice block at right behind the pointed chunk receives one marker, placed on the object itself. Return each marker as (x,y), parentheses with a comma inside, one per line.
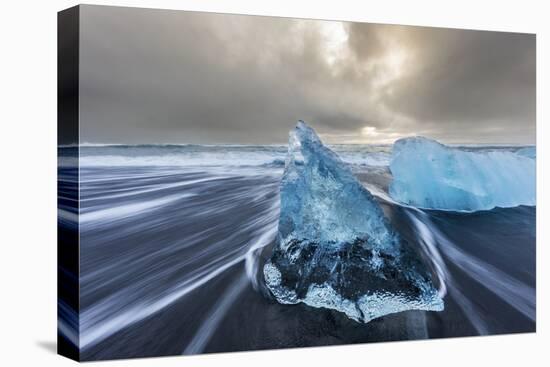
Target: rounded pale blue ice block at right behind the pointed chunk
(428,174)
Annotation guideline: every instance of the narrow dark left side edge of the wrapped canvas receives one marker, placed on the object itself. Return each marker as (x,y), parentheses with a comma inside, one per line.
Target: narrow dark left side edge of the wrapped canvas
(68,183)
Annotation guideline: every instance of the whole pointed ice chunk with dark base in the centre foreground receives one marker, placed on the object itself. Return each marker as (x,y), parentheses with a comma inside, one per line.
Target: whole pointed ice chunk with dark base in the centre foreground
(335,249)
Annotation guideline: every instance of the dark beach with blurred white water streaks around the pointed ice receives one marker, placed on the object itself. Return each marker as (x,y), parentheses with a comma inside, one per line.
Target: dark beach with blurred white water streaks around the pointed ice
(170,261)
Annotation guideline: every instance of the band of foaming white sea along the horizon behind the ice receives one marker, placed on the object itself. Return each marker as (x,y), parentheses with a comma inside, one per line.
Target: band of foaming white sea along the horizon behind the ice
(197,155)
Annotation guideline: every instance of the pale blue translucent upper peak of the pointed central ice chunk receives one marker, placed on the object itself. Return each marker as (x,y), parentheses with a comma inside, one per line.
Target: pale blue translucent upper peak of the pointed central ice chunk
(314,187)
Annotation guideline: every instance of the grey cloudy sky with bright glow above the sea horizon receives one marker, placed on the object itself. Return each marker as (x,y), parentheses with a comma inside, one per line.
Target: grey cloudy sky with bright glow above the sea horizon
(157,76)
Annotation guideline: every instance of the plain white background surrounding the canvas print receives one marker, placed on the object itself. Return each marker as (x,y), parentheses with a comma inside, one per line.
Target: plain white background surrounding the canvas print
(28,180)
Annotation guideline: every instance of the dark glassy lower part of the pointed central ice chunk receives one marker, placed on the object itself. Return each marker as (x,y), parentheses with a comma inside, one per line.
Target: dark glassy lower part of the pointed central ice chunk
(352,271)
